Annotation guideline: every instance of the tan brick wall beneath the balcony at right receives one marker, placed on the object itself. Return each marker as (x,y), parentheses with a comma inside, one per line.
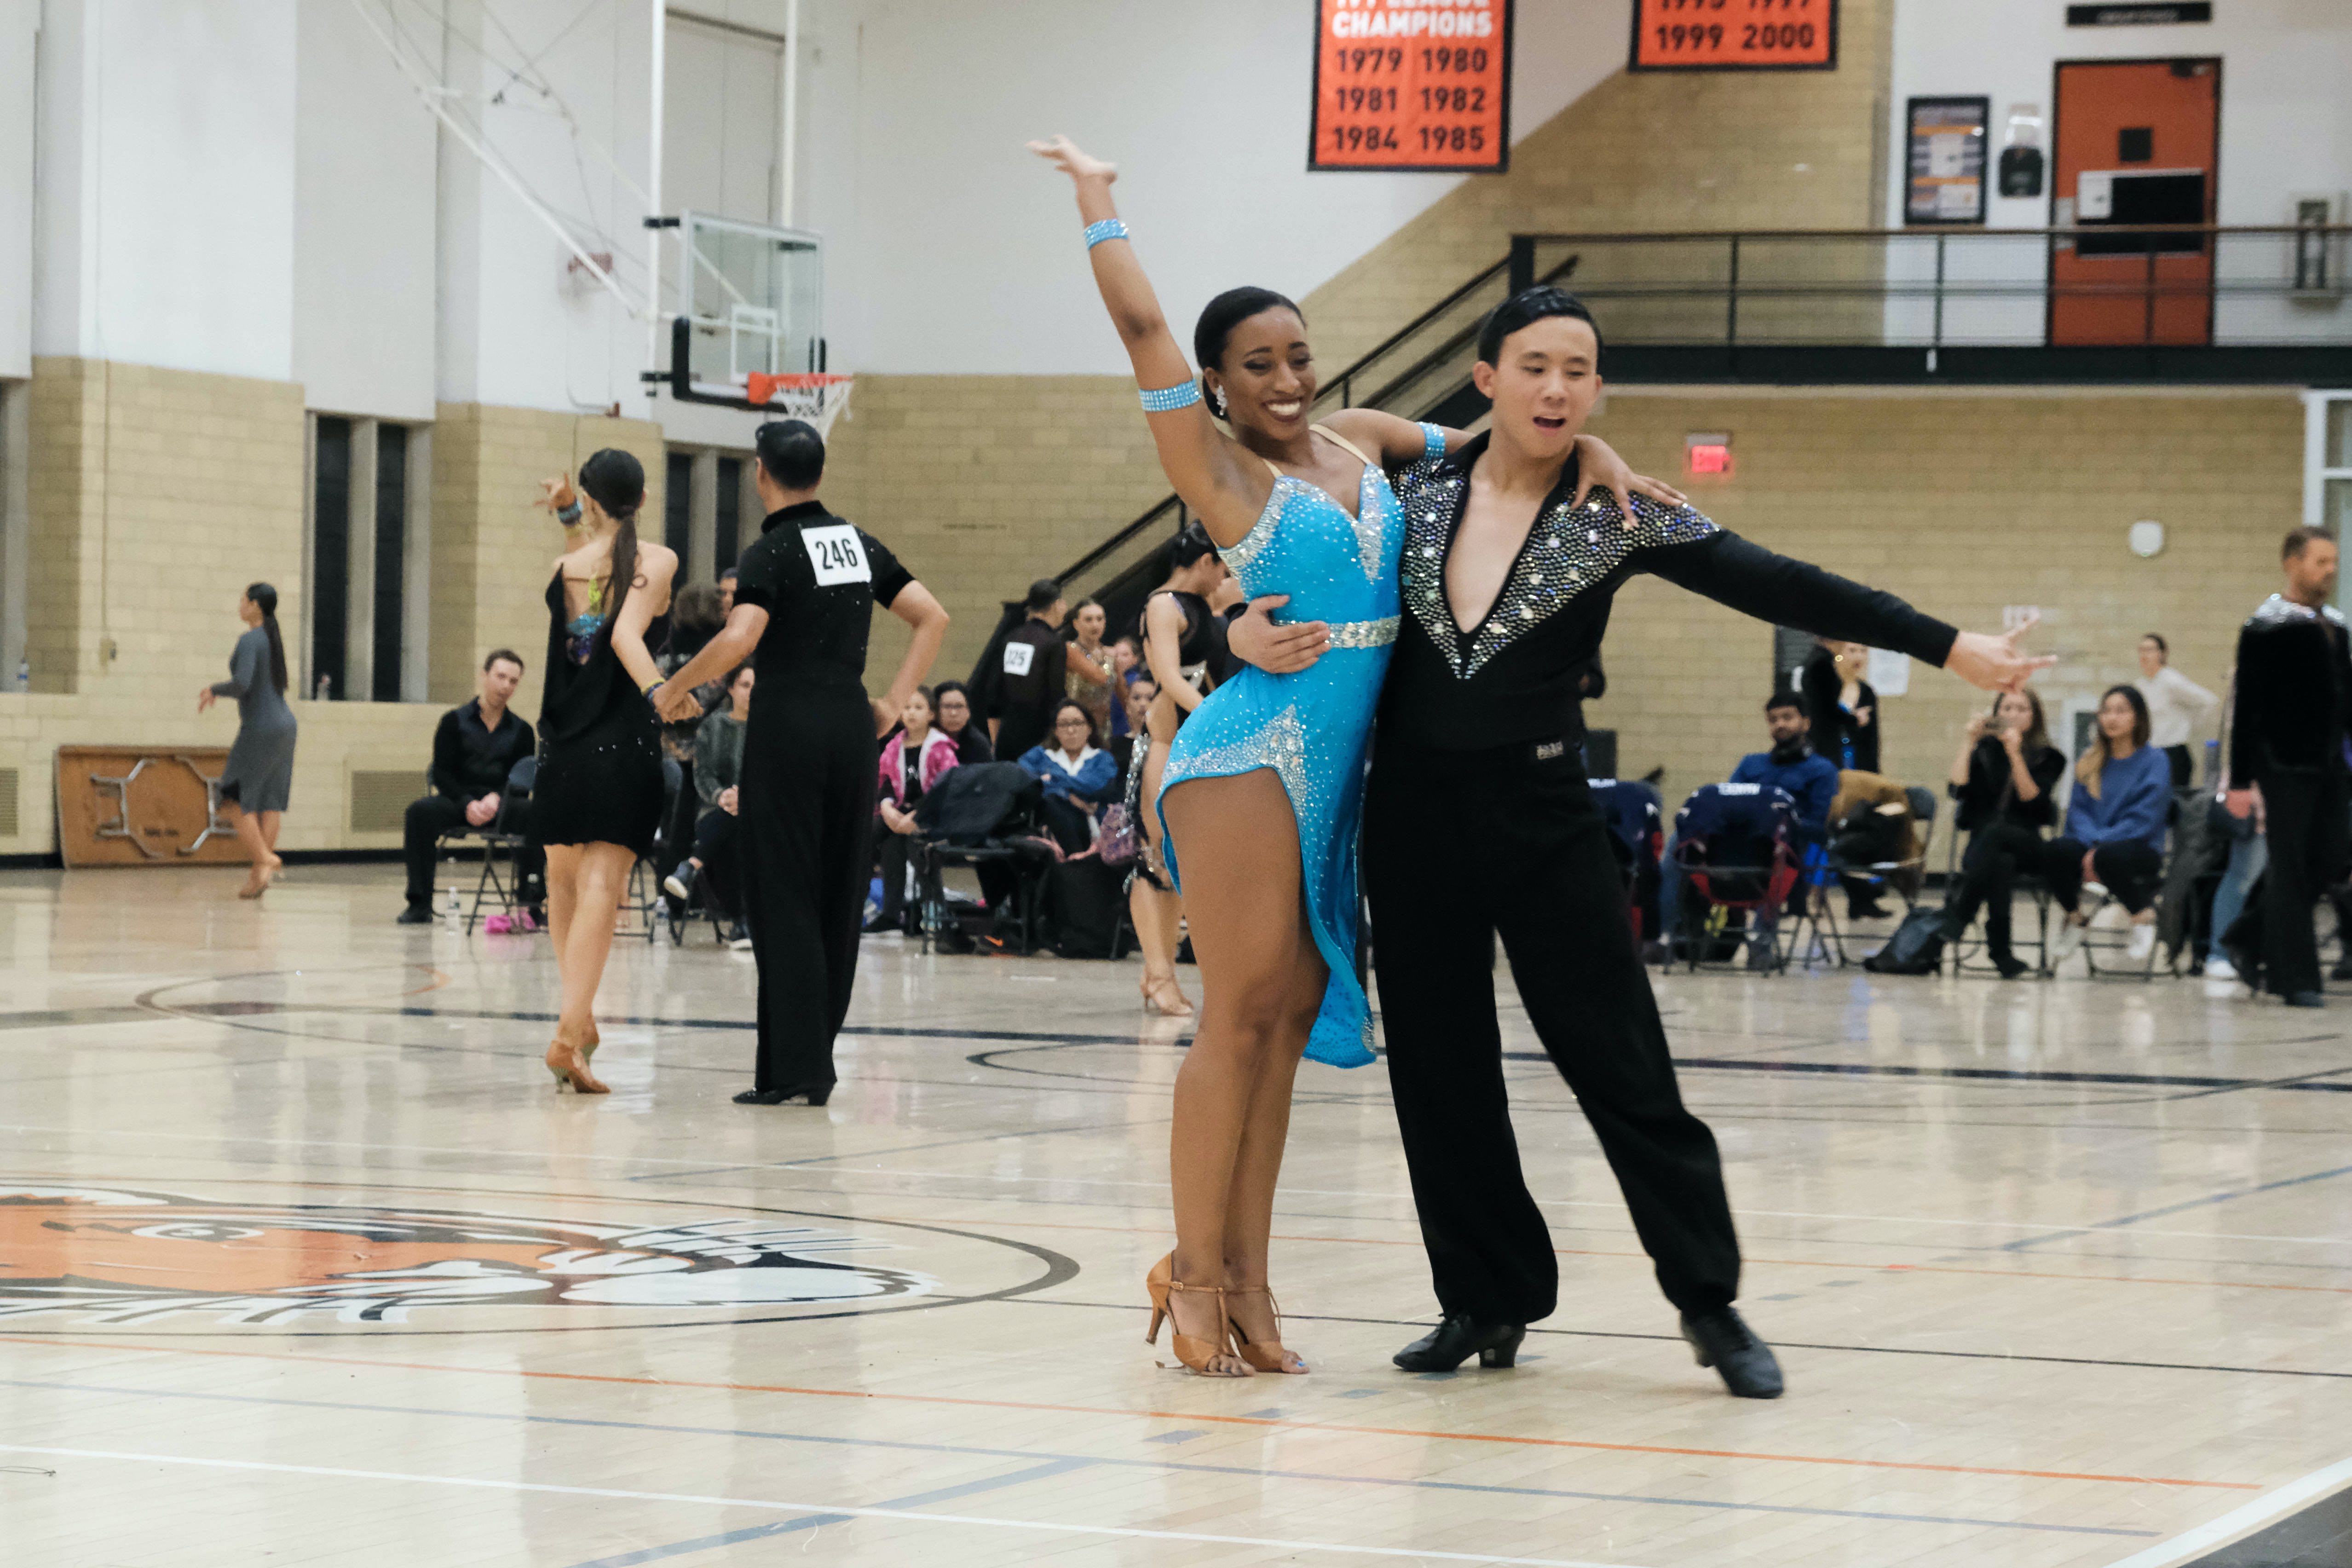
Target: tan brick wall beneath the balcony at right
(1963,507)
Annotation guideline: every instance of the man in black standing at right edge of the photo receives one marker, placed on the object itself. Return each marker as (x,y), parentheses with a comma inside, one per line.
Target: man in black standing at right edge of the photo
(2294,711)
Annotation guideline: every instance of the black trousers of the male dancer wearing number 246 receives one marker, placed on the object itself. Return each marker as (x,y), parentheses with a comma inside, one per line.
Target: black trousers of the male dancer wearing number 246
(806,833)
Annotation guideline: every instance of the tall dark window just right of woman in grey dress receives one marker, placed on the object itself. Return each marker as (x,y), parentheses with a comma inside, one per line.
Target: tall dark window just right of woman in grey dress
(368,605)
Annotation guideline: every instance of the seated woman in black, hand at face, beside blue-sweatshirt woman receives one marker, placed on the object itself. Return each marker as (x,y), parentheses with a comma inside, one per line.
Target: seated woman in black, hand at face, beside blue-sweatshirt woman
(2005,784)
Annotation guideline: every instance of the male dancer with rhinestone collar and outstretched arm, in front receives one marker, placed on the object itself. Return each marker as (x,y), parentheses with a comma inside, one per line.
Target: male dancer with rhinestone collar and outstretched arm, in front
(1478,822)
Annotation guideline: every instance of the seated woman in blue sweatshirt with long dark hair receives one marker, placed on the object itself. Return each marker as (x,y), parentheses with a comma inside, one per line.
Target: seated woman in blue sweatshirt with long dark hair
(2113,826)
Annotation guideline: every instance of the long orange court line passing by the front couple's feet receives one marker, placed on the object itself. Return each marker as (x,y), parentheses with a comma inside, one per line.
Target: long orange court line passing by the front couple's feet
(1187,1416)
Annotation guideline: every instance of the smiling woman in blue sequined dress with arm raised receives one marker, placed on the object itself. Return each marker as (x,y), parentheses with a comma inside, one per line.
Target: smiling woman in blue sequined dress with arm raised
(1264,784)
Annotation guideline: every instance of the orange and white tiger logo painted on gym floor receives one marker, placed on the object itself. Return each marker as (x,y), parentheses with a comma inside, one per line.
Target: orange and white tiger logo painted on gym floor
(131,1259)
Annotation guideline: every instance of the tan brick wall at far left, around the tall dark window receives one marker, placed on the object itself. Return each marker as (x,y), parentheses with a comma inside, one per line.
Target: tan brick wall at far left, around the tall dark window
(156,497)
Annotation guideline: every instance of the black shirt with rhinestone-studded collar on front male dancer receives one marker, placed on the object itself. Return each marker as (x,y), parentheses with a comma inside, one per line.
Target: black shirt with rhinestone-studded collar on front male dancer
(1514,676)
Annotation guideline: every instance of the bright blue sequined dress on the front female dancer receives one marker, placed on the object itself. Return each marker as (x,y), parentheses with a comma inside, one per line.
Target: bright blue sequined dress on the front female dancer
(1314,728)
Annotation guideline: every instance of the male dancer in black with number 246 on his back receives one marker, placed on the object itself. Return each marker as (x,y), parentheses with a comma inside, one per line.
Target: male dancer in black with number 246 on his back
(808,786)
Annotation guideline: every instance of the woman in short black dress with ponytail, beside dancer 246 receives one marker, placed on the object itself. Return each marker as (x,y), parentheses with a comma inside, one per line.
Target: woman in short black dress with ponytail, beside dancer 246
(599,796)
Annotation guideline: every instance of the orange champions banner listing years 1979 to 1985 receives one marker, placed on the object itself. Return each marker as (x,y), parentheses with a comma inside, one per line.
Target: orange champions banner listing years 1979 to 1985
(1412,86)
